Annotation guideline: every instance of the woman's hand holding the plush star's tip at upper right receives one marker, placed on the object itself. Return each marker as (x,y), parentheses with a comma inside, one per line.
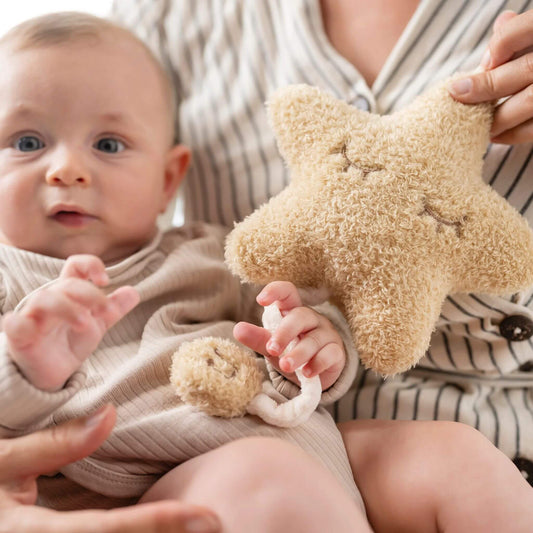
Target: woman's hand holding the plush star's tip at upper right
(507,72)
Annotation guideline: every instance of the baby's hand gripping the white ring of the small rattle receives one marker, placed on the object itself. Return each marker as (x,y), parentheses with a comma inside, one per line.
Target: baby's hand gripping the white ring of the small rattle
(319,347)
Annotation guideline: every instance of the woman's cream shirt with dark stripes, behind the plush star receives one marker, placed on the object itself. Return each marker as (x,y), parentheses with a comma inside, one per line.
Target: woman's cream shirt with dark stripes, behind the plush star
(226,56)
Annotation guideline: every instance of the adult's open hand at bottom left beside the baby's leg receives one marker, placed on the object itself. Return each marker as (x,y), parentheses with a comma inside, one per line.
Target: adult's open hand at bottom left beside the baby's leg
(23,459)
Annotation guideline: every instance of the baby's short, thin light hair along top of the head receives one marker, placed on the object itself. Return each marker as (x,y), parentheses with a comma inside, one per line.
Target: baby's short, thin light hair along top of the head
(70,26)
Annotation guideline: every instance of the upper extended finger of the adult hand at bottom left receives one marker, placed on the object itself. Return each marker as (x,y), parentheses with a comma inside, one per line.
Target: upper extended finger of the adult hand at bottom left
(50,449)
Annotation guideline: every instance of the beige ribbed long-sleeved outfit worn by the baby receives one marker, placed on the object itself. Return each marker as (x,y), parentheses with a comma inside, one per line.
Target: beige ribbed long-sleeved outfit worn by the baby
(186,292)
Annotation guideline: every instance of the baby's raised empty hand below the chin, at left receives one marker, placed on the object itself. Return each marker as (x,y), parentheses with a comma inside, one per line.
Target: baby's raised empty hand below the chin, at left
(62,324)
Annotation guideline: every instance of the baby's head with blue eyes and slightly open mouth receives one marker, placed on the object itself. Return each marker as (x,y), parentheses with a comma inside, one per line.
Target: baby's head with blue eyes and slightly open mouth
(87,160)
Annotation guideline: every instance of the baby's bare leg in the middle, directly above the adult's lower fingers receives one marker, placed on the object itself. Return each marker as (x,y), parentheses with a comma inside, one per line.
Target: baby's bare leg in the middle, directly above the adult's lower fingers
(263,484)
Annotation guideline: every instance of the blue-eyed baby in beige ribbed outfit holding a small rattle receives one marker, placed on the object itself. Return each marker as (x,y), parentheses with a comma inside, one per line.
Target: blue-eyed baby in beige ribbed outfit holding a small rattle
(95,299)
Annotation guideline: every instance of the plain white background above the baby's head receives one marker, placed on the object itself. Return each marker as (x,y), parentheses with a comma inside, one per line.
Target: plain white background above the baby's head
(14,11)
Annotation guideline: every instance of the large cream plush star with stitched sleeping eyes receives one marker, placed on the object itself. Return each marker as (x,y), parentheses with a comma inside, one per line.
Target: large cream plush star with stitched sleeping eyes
(389,213)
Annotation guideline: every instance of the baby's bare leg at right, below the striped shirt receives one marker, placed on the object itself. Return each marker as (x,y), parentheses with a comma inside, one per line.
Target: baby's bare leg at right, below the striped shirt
(418,476)
